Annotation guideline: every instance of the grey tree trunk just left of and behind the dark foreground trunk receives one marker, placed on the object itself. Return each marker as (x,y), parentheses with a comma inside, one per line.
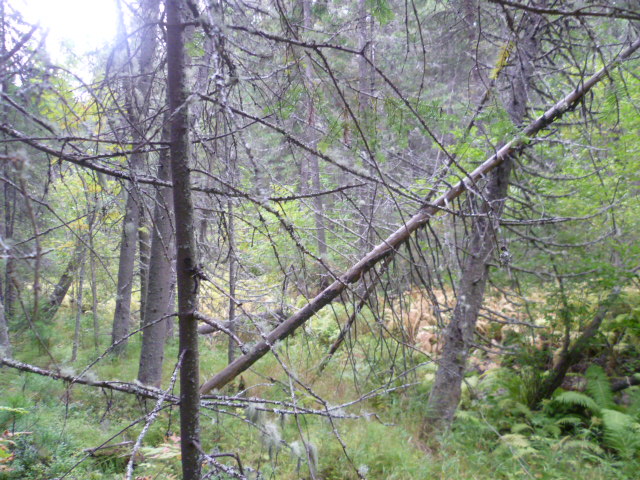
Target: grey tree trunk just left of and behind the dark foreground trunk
(159,296)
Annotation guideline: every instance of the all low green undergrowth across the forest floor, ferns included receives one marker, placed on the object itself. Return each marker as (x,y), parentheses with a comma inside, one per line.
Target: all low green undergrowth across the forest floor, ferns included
(50,430)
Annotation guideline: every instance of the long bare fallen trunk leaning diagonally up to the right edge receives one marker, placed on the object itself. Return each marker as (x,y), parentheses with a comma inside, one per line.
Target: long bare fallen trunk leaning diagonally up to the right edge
(389,246)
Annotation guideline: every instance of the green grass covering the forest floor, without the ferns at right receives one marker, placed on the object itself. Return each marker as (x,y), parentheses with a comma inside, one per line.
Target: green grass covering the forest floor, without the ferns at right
(62,423)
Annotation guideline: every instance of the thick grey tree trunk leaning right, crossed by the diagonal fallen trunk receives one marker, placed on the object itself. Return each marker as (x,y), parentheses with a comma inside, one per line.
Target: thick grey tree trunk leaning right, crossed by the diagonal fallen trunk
(459,333)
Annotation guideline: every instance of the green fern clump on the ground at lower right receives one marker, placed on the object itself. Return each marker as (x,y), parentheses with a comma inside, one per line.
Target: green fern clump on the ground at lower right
(572,425)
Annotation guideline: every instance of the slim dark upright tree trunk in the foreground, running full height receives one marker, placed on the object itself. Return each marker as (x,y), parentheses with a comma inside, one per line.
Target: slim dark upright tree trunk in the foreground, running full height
(187,267)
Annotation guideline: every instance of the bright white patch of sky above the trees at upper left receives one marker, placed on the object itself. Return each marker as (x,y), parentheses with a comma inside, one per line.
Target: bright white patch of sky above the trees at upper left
(83,25)
